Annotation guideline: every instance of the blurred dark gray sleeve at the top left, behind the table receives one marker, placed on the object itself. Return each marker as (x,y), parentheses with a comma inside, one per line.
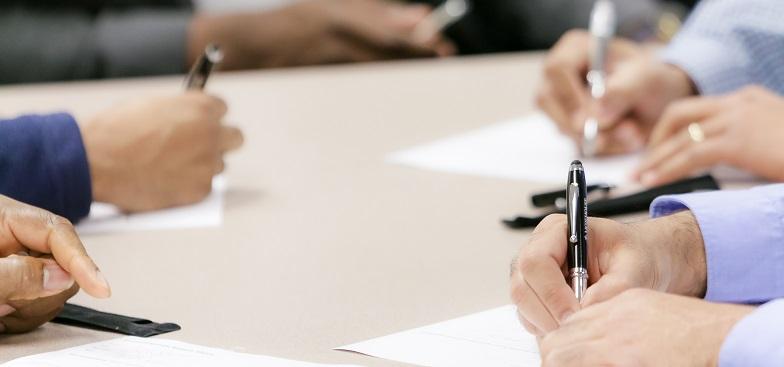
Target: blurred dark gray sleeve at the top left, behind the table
(46,45)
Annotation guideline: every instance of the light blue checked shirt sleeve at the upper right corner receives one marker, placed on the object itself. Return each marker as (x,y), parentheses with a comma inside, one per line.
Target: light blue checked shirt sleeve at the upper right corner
(728,44)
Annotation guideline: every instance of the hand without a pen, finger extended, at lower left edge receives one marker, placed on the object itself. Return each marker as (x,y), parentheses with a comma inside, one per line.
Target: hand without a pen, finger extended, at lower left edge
(42,264)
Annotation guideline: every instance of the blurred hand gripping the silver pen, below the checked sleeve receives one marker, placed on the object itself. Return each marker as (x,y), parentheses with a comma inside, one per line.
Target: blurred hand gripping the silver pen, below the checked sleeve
(638,88)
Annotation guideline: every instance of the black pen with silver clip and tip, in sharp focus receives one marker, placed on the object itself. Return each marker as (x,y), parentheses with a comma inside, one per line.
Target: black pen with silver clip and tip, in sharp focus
(577,233)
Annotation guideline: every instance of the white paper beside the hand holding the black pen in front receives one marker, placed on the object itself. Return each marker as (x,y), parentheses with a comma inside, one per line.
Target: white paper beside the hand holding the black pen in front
(492,338)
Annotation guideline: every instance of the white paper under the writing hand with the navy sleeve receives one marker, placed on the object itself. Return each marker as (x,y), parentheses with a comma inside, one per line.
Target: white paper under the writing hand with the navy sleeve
(105,218)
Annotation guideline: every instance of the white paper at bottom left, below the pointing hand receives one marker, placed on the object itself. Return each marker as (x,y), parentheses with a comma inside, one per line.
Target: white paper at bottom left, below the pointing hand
(150,352)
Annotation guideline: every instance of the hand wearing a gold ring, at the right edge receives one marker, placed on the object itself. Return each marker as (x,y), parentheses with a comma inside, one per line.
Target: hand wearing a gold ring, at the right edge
(743,130)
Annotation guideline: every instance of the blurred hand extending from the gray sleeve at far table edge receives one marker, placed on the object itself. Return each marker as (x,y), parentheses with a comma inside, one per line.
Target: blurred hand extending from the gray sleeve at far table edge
(316,32)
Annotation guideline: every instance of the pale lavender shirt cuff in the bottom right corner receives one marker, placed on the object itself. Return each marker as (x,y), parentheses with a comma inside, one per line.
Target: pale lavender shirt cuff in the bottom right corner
(757,340)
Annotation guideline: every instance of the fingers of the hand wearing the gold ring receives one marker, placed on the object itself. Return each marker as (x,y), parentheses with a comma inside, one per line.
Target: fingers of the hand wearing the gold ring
(680,156)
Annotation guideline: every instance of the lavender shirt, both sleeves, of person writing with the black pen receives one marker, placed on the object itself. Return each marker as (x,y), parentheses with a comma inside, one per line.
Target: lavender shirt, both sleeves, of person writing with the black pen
(744,248)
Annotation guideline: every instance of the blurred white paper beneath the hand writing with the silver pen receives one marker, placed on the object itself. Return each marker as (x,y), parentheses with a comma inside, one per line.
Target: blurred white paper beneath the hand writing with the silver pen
(529,148)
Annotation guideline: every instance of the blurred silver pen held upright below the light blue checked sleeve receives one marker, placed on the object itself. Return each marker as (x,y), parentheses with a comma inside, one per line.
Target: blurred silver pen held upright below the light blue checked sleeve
(602,28)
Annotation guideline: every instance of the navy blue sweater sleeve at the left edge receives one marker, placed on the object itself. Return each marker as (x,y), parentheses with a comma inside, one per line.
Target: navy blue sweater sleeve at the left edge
(43,163)
